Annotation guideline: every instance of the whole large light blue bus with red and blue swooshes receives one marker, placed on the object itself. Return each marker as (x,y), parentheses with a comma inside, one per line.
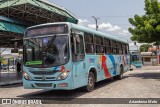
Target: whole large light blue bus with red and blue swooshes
(66,56)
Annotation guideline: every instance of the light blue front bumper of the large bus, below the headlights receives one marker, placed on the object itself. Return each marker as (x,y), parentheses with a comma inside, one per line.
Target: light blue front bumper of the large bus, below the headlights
(55,85)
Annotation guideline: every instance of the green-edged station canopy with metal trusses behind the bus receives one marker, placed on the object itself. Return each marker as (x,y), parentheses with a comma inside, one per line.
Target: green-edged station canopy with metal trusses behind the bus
(17,15)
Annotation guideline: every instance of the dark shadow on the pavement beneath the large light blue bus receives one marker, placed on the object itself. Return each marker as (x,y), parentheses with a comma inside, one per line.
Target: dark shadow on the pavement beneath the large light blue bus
(64,93)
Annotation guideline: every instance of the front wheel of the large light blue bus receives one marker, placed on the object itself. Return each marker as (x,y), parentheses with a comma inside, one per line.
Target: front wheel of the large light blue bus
(91,82)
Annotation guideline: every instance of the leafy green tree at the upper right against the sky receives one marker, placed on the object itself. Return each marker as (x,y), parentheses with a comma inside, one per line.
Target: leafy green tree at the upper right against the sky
(147,27)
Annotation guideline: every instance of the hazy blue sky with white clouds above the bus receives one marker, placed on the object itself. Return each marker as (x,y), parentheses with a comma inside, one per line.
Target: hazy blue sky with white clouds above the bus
(113,14)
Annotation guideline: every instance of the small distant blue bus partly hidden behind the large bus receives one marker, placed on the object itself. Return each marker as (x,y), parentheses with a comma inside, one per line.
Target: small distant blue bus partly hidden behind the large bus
(136,59)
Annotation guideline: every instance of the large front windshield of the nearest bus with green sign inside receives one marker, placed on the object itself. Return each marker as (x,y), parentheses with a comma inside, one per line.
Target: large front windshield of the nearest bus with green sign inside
(47,51)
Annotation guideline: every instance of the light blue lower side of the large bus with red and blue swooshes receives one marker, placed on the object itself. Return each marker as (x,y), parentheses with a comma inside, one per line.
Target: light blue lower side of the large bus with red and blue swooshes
(106,66)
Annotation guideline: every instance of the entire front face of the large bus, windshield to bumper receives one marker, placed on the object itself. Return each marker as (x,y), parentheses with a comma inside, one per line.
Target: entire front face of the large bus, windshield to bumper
(46,57)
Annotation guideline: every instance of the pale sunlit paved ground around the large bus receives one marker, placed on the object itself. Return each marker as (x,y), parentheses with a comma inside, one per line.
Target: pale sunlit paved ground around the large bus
(139,83)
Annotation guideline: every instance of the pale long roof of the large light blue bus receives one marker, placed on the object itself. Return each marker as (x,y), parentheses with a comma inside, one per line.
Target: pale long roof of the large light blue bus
(84,29)
